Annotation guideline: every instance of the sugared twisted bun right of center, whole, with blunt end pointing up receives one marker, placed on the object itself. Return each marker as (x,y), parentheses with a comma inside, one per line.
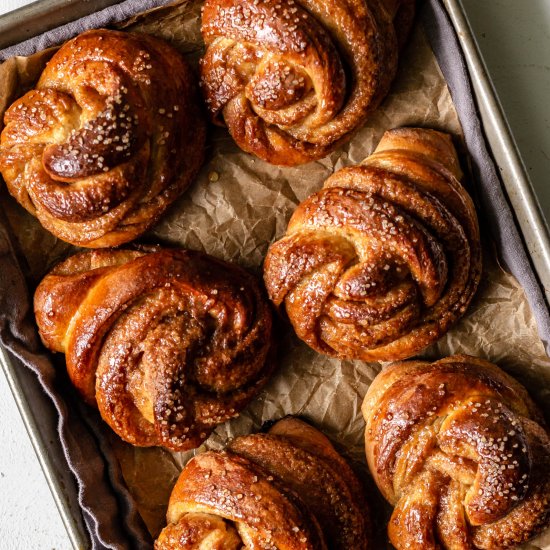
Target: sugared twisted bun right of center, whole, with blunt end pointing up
(386,257)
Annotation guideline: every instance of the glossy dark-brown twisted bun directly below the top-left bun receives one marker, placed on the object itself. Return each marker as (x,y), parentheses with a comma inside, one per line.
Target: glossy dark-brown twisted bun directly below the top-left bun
(169,343)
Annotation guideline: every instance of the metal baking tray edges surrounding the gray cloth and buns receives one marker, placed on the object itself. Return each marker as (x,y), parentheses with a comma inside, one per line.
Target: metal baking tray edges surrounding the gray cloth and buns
(47,14)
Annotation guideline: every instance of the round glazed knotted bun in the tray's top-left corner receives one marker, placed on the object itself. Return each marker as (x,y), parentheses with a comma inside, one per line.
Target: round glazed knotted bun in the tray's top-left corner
(109,138)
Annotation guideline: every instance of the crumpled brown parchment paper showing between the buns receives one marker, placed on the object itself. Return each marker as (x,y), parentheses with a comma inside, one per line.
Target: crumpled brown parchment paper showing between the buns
(237,207)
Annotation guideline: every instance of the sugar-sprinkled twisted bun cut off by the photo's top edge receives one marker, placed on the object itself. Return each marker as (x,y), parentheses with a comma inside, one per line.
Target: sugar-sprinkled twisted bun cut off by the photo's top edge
(293,80)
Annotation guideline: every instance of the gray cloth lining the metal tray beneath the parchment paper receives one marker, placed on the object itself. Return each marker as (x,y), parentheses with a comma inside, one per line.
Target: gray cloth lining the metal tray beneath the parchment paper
(106,504)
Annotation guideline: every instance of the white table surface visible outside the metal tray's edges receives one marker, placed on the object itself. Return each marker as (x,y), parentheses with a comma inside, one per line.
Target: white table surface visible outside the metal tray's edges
(514,37)
